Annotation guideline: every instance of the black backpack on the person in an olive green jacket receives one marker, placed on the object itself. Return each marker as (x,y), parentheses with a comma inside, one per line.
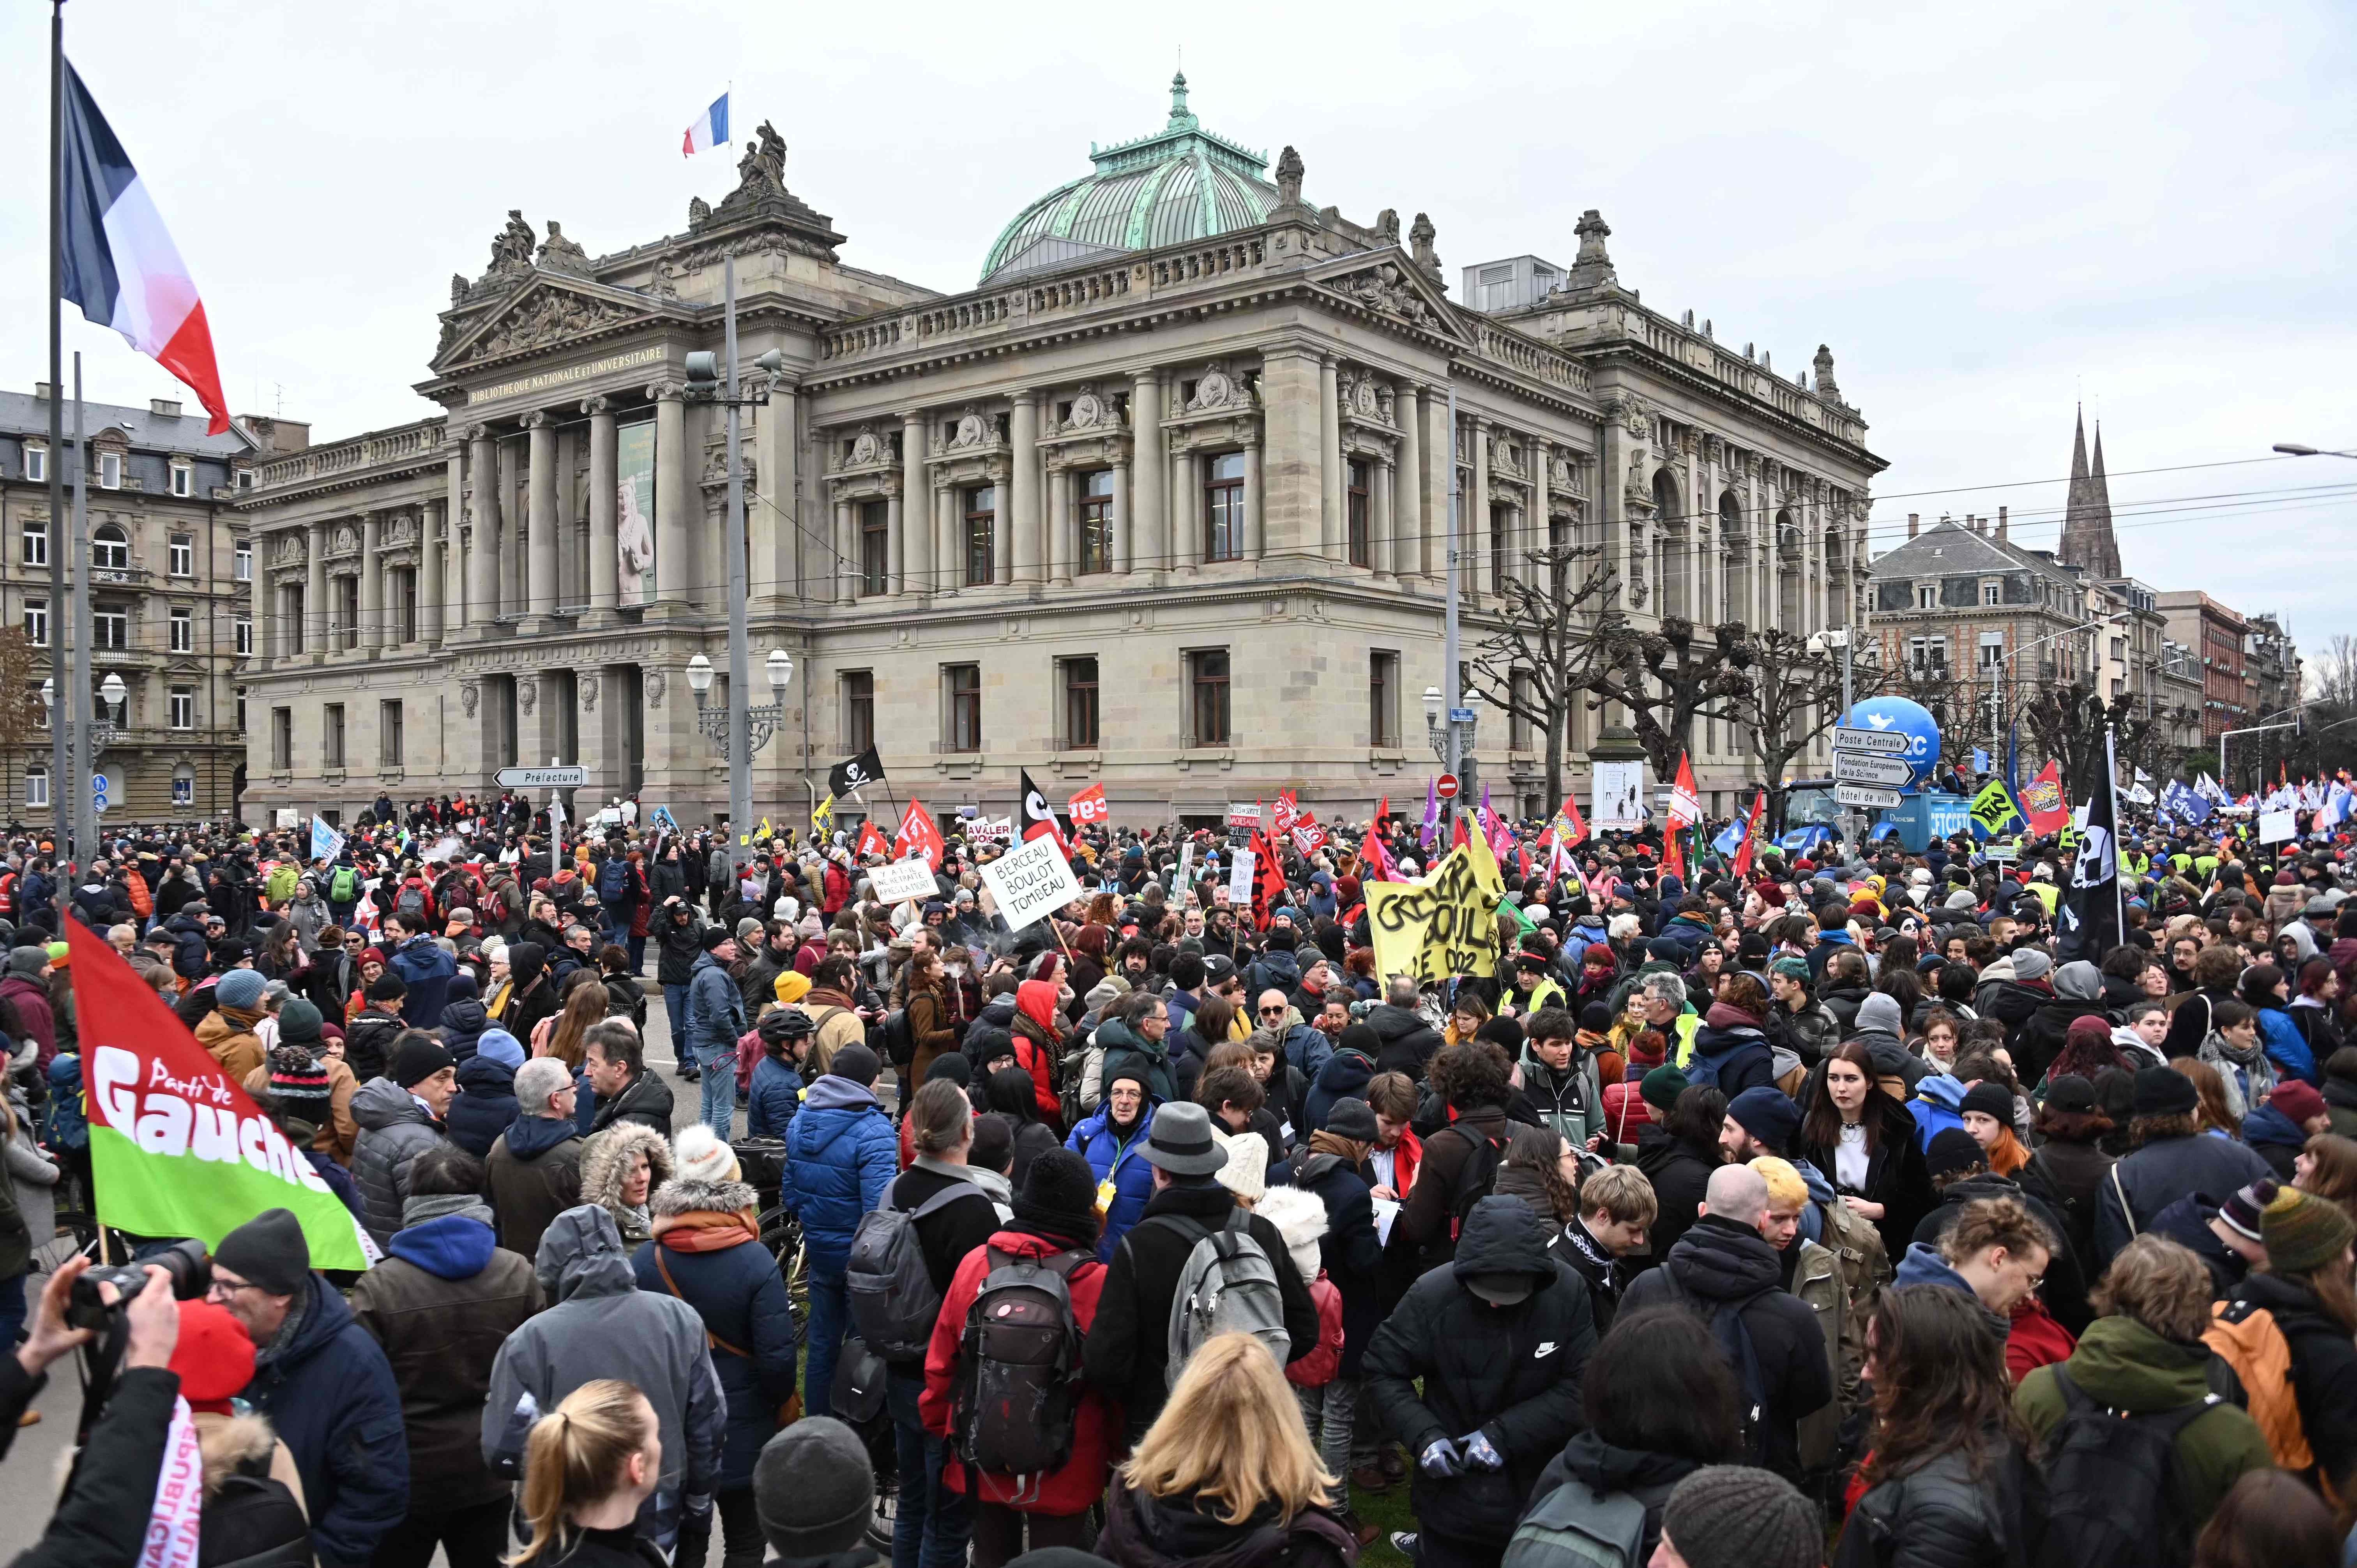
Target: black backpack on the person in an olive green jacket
(2113,1489)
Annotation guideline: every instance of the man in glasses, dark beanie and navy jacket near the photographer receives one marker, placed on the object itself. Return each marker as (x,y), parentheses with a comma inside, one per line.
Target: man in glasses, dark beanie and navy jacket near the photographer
(324,1383)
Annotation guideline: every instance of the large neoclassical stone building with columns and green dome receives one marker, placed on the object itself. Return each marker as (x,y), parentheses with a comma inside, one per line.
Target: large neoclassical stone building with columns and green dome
(1161,501)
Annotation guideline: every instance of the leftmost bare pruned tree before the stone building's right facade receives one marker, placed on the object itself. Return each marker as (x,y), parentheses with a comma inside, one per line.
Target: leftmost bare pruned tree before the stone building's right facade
(1540,659)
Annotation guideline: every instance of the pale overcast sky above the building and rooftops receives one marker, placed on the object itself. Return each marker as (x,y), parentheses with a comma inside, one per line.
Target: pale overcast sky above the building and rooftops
(1990,213)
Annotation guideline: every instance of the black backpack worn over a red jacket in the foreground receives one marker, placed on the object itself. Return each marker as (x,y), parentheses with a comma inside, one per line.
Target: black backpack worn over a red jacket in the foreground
(1019,1369)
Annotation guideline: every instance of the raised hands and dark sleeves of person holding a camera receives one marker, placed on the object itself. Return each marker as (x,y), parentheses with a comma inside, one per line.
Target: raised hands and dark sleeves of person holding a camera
(105,1513)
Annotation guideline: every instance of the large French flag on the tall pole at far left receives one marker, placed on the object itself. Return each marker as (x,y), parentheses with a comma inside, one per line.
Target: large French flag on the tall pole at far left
(119,263)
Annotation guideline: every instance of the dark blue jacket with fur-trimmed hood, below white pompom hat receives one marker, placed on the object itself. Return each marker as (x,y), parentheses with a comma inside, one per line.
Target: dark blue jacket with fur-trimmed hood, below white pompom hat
(741,1298)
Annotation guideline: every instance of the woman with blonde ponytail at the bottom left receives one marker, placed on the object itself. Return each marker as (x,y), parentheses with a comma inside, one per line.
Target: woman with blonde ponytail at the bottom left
(588,1465)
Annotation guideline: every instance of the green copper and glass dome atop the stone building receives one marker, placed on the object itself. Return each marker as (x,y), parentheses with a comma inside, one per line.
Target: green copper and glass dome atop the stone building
(1166,190)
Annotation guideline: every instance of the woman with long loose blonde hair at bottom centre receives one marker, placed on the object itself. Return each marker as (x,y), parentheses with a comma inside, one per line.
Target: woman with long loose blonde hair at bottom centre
(1227,1473)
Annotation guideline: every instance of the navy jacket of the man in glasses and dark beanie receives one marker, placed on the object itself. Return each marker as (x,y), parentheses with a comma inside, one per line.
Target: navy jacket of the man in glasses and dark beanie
(334,1399)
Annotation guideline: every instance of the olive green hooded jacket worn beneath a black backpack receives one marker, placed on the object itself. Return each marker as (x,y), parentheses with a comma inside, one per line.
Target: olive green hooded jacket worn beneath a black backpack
(2125,1366)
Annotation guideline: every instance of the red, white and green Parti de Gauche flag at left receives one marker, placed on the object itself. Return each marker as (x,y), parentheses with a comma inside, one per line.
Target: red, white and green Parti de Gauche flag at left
(176,1147)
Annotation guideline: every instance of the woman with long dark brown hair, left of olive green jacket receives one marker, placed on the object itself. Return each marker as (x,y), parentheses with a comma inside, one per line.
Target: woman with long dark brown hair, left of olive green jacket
(1950,1456)
